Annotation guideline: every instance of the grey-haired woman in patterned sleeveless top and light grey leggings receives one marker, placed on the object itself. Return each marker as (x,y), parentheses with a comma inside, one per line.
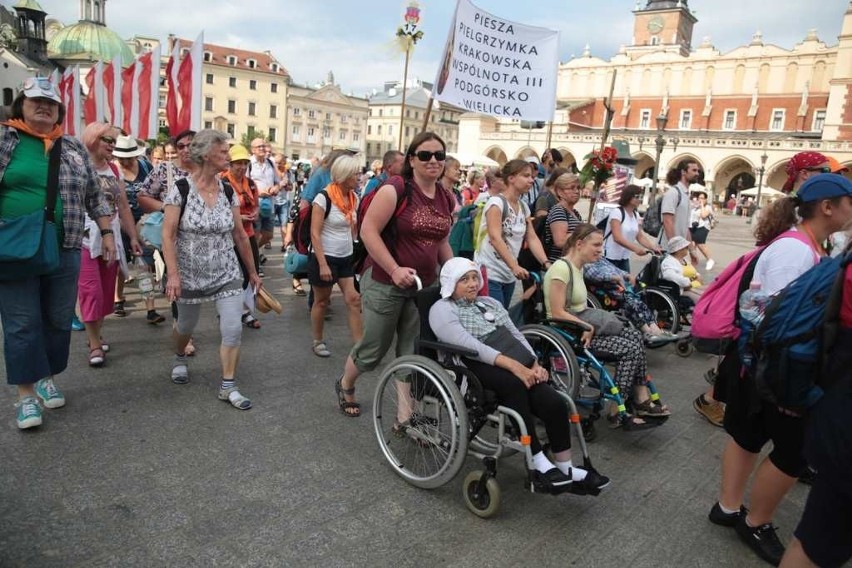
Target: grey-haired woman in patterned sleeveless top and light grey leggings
(201,228)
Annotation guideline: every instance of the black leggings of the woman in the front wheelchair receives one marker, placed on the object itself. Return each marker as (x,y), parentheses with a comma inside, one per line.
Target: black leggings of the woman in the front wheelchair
(541,401)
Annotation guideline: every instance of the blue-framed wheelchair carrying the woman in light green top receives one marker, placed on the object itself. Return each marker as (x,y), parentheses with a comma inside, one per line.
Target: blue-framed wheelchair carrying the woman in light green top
(575,369)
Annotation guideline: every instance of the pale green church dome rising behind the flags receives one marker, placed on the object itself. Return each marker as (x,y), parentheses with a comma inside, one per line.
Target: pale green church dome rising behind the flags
(88,41)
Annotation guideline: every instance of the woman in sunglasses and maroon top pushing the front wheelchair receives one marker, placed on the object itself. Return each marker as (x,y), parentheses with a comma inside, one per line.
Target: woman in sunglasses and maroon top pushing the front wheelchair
(397,260)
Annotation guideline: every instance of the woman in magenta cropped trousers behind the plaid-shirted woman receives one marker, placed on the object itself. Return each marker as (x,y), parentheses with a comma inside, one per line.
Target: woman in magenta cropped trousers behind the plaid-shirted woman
(98,274)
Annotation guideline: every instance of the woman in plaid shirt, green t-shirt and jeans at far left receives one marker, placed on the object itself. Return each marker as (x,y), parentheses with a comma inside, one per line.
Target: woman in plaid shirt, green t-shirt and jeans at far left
(36,309)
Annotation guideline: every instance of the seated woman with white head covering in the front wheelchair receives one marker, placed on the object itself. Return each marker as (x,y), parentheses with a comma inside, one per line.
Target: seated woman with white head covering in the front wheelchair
(506,365)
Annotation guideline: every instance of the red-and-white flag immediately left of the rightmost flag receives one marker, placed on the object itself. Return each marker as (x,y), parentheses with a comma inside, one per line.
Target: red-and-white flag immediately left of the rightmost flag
(140,95)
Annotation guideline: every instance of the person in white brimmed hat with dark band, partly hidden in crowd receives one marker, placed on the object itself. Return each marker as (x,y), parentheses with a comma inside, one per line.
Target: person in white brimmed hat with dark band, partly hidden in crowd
(133,169)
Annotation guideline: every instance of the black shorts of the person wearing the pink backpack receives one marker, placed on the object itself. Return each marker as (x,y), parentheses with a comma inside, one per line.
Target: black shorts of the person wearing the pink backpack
(752,422)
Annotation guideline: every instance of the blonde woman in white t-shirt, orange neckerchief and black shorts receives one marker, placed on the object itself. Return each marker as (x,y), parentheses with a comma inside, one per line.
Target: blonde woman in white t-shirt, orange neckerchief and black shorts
(333,226)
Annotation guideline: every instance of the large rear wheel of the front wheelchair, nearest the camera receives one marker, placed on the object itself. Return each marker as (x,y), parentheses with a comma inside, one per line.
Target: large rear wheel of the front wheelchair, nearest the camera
(429,448)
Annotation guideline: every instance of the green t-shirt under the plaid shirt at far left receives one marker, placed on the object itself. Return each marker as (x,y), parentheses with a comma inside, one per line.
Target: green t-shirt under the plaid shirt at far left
(23,189)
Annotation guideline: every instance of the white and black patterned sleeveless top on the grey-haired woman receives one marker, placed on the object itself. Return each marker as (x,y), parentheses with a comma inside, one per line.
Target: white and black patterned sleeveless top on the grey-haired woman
(206,258)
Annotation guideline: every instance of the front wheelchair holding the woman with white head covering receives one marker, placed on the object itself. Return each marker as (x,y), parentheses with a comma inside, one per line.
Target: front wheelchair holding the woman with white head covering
(451,417)
